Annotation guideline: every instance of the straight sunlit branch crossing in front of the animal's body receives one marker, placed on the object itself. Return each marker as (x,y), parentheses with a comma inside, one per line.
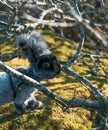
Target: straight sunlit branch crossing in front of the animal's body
(33,83)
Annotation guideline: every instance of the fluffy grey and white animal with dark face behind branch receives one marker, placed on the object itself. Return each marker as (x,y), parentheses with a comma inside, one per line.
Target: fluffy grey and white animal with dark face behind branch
(43,65)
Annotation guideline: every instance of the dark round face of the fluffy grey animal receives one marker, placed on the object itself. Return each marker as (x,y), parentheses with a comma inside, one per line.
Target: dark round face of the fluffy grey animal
(46,67)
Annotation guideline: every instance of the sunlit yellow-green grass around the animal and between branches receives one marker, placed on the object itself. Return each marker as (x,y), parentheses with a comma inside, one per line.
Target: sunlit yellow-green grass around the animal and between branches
(51,117)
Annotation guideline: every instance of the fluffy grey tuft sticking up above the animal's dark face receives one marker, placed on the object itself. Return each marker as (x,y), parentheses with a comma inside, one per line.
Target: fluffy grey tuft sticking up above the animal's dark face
(33,45)
